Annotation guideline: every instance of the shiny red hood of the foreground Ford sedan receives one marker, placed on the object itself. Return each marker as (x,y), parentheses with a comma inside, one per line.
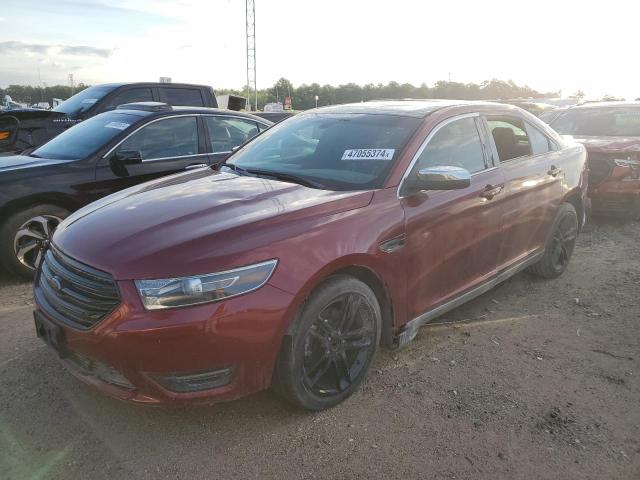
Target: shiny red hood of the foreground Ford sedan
(197,222)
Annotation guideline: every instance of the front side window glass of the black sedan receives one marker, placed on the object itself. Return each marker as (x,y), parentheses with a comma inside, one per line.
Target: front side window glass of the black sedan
(171,137)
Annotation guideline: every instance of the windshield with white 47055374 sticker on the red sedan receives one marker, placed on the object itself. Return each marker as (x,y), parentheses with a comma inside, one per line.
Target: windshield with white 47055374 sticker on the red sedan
(332,151)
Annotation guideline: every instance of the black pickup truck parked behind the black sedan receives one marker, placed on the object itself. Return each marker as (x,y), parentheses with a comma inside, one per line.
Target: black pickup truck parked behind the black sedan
(24,130)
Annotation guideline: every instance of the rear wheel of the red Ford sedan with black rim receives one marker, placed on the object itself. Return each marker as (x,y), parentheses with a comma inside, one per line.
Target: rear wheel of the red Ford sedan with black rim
(560,244)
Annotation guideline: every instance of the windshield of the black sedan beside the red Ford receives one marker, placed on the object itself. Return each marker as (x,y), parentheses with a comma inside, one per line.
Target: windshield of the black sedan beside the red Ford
(86,137)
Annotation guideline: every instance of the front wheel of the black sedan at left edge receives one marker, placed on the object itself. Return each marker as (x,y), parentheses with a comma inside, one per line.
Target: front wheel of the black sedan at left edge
(25,234)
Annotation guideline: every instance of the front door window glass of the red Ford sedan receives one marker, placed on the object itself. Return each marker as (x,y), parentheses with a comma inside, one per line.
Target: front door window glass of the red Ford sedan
(455,144)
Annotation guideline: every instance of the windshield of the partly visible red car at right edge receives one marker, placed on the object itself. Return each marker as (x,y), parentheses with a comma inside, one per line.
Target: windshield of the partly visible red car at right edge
(605,122)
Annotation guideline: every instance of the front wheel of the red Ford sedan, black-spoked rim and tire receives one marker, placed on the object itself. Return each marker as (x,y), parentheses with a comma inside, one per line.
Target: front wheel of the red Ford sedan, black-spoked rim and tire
(326,340)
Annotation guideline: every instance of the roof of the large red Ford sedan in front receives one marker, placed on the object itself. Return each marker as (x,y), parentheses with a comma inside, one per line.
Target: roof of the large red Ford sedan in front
(407,108)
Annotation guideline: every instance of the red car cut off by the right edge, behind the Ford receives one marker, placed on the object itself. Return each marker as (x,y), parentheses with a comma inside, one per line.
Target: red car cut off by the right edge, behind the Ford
(611,133)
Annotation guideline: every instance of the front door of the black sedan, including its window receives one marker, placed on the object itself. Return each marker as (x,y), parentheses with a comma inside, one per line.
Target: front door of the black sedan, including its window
(166,145)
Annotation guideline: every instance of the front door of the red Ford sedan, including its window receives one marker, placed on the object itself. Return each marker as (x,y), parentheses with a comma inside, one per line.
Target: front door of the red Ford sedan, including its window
(453,237)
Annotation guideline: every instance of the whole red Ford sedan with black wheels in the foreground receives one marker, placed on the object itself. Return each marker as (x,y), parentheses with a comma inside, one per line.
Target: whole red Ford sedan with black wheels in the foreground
(338,230)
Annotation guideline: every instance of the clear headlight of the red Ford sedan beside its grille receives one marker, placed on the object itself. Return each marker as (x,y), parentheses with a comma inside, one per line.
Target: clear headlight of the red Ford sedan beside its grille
(180,292)
